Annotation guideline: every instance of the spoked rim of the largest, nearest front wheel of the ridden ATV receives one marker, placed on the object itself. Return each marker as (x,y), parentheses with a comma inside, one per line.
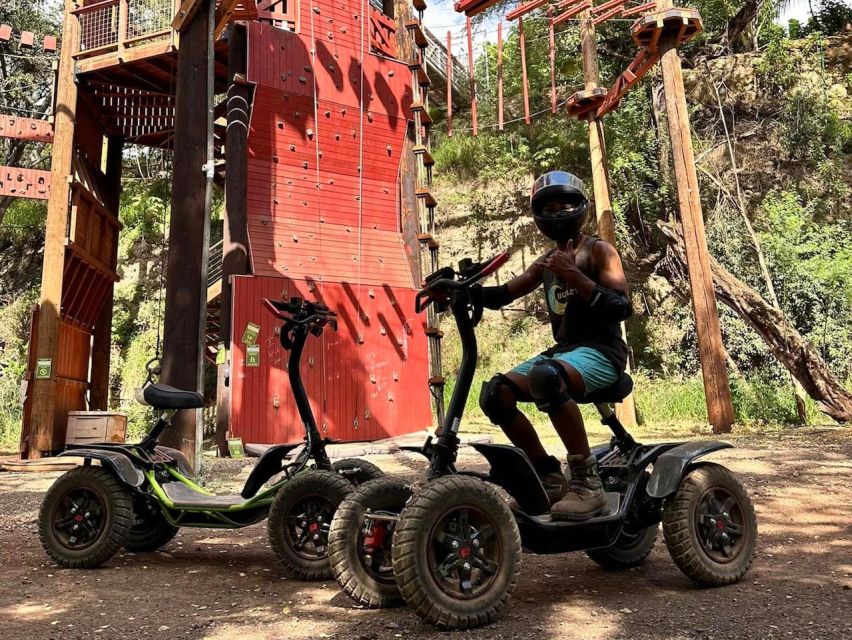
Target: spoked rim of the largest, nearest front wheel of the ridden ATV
(465,552)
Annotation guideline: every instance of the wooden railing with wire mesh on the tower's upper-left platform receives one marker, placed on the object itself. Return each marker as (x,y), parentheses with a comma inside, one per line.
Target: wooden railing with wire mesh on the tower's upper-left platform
(116,25)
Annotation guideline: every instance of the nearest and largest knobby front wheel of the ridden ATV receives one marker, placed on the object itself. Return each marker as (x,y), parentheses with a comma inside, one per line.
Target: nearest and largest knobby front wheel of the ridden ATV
(422,550)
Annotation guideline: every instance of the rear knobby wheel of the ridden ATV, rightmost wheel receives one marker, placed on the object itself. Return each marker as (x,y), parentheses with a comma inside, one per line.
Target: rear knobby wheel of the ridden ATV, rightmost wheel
(694,543)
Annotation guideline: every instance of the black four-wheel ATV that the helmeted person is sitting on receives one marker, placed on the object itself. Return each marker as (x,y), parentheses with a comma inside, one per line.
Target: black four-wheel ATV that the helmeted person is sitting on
(450,546)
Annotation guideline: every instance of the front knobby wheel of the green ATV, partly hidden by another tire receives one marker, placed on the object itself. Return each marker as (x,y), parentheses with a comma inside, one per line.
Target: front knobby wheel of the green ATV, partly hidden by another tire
(301,510)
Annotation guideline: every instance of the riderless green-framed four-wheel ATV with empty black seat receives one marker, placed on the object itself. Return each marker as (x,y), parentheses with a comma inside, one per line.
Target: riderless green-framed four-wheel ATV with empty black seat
(139,495)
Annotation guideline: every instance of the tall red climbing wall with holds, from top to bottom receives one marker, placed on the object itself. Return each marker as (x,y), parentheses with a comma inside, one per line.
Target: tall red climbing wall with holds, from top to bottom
(322,229)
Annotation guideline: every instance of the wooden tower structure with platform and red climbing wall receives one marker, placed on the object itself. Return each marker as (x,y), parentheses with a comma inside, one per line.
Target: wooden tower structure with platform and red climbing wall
(317,129)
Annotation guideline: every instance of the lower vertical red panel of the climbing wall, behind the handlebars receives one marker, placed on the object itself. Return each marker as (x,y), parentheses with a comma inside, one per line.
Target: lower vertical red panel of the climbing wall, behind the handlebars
(366,381)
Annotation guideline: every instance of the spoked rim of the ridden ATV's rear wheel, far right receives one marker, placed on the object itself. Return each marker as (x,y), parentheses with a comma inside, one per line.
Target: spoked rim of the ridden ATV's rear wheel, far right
(720,525)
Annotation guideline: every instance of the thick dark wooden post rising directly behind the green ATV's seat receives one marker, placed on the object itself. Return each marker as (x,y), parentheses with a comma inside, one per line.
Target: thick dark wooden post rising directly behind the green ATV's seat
(189,227)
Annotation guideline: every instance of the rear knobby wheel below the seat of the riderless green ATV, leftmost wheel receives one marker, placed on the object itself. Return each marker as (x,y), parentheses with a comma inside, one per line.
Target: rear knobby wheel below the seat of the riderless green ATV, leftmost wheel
(102,512)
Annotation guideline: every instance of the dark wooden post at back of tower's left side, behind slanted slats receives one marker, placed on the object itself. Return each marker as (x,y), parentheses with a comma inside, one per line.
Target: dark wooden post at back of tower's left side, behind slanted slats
(102,335)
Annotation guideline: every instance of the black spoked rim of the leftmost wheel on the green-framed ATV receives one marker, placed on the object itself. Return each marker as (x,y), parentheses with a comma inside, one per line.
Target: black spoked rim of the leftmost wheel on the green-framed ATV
(79,518)
